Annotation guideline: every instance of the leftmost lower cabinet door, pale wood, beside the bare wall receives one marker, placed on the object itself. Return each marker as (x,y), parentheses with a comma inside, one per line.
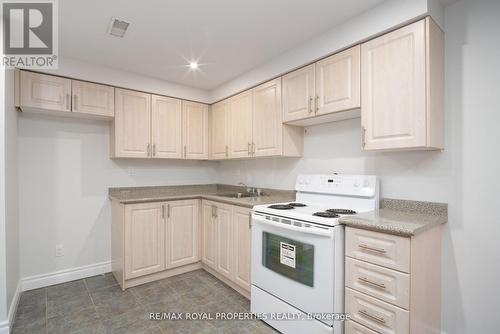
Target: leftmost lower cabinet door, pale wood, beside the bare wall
(144,239)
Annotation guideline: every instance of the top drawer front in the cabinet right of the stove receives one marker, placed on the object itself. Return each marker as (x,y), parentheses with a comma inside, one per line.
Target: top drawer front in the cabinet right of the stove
(387,250)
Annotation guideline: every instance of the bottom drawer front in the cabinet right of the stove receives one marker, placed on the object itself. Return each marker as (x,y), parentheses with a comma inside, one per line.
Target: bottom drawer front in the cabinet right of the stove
(377,315)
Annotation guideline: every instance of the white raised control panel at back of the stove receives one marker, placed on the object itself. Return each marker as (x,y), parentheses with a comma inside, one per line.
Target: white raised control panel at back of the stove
(339,184)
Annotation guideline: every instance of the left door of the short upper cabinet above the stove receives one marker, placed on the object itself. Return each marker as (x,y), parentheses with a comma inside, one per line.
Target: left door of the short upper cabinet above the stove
(298,94)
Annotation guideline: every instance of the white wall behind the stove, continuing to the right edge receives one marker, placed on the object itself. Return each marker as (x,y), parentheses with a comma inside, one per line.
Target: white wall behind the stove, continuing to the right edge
(464,175)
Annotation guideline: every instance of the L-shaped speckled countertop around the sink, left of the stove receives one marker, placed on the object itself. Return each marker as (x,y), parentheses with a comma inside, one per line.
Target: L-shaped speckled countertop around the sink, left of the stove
(209,192)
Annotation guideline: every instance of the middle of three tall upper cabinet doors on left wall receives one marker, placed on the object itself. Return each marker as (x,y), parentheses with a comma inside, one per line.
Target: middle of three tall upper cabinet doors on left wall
(166,127)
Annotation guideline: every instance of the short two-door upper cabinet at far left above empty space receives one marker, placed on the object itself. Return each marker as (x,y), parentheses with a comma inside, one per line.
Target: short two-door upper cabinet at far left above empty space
(45,93)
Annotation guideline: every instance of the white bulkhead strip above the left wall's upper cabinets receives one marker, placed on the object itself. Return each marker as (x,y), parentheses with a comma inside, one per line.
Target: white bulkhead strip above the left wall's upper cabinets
(81,70)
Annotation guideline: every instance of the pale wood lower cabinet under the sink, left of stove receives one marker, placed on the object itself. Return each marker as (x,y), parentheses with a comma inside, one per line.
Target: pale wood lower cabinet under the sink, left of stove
(227,241)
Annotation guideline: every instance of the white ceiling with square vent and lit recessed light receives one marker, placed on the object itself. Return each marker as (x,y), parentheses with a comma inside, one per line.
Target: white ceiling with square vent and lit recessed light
(227,37)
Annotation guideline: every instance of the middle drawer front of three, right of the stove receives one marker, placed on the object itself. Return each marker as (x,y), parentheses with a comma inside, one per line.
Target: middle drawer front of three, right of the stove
(386,284)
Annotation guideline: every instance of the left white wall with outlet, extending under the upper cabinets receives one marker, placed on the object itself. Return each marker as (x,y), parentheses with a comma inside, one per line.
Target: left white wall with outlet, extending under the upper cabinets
(64,175)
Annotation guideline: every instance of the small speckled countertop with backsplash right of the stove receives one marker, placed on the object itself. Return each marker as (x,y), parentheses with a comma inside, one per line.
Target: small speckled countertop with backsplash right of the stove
(400,217)
